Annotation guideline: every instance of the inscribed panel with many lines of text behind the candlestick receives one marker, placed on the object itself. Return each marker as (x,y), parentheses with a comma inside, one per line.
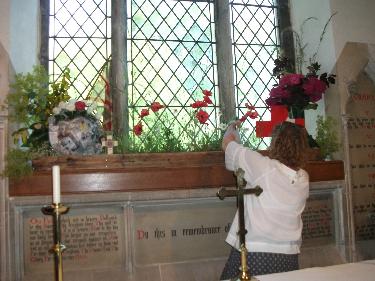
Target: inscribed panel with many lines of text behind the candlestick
(94,237)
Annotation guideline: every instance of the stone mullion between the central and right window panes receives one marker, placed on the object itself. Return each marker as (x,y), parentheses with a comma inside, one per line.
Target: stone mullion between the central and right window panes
(224,60)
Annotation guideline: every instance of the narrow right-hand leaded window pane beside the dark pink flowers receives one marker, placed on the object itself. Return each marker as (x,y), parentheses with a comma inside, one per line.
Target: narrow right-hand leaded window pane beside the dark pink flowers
(255,45)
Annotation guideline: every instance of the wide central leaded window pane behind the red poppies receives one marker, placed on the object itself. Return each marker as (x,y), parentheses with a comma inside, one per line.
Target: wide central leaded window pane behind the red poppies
(171,52)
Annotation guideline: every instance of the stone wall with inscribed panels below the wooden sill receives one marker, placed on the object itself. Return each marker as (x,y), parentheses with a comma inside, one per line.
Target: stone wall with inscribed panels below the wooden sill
(158,235)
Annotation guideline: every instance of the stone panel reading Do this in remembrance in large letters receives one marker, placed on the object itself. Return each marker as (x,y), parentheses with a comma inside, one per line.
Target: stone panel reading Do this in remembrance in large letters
(181,231)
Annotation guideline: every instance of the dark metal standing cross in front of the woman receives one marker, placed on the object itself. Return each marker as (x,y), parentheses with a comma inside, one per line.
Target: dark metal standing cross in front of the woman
(239,193)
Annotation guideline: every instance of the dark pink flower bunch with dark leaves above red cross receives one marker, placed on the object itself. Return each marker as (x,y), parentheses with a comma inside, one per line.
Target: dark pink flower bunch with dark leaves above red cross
(296,90)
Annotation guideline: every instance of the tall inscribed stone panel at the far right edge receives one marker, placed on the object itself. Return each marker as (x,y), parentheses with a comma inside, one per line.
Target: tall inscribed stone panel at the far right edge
(361,137)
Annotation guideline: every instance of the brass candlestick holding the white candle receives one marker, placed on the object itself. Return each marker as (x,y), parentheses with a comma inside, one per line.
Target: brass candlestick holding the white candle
(56,210)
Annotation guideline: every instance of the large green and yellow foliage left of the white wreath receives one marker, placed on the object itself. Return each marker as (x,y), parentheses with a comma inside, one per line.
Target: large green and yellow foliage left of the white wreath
(31,103)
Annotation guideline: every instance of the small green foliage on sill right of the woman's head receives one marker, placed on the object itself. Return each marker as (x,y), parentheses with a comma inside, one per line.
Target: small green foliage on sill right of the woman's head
(326,136)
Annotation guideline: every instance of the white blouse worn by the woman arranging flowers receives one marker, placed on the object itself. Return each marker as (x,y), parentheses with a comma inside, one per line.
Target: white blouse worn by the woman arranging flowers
(272,220)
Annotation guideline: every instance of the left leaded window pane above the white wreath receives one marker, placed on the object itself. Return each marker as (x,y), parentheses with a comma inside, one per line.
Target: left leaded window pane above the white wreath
(79,40)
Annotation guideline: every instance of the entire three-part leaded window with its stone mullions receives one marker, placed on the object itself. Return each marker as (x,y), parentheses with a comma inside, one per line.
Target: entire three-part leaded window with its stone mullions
(126,55)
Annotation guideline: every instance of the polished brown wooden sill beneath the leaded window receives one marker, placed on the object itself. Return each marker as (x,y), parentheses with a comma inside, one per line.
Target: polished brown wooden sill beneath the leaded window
(148,171)
